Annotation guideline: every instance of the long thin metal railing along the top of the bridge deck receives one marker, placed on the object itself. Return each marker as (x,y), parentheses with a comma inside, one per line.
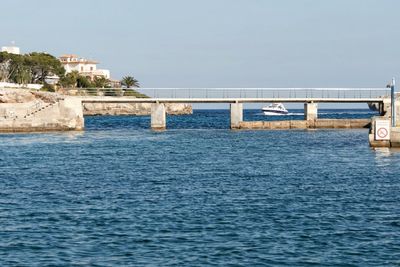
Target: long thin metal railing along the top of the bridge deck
(340,93)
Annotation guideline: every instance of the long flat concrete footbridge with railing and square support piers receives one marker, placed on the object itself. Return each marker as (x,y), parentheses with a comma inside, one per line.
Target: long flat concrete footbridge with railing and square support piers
(236,97)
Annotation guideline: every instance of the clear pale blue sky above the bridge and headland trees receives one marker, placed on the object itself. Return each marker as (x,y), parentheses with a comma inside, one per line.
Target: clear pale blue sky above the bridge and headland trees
(218,43)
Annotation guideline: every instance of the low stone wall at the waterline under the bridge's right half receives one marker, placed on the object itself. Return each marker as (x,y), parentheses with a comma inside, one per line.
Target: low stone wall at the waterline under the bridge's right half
(303,124)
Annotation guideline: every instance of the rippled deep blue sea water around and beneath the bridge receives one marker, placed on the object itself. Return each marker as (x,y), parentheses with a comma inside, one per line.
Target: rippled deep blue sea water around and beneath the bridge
(198,194)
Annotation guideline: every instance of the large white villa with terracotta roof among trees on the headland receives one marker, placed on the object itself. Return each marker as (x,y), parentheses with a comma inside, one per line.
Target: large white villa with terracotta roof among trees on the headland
(85,67)
